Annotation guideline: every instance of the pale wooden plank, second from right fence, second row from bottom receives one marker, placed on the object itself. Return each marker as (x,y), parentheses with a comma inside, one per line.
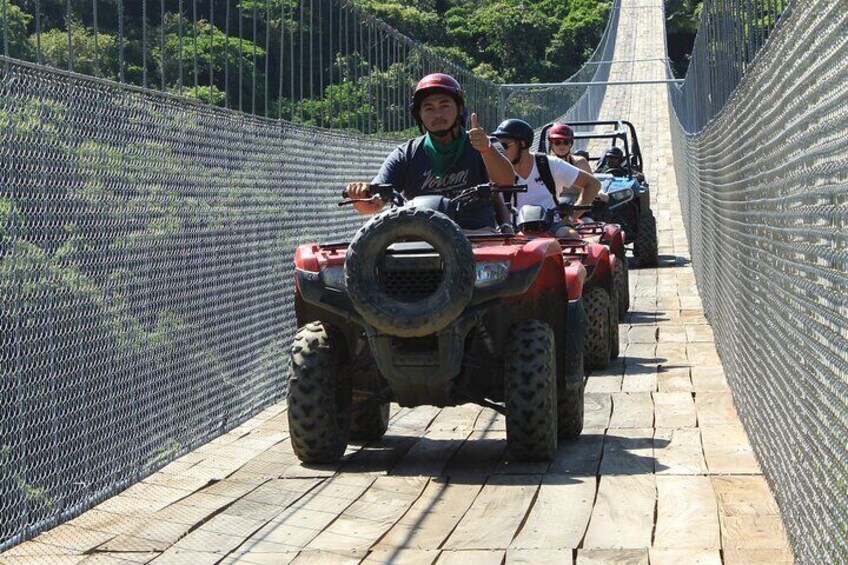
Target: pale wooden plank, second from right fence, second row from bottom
(687,515)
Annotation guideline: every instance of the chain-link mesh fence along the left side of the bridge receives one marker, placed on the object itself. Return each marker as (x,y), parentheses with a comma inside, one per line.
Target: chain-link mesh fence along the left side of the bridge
(145,278)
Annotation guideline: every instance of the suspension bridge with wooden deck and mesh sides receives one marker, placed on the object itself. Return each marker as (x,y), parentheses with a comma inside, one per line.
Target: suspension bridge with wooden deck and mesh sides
(145,274)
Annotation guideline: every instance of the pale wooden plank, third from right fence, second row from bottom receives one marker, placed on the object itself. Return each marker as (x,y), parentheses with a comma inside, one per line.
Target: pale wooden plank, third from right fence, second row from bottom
(623,517)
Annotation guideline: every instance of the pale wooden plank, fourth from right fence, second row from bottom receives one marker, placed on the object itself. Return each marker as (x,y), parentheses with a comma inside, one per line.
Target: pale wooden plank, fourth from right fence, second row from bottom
(547,526)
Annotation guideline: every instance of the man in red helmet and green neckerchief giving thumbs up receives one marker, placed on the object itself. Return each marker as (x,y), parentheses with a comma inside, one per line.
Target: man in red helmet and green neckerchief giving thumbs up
(446,158)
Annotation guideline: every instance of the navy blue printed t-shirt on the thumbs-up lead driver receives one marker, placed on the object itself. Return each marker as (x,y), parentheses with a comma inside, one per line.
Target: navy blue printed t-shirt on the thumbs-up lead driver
(409,169)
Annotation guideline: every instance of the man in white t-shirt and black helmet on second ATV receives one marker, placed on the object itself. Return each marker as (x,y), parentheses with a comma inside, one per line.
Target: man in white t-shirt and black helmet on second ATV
(546,178)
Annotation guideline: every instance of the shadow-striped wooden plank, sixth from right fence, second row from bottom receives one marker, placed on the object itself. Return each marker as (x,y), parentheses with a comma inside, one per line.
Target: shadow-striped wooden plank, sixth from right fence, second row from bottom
(432,517)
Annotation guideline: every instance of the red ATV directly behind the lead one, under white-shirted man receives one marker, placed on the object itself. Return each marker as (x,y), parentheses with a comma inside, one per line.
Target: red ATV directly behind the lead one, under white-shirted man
(601,286)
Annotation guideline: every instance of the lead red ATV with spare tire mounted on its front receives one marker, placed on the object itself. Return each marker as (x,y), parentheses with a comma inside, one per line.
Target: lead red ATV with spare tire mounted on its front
(414,311)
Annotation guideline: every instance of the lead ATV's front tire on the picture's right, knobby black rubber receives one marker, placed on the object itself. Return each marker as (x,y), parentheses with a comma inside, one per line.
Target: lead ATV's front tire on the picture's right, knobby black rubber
(530,392)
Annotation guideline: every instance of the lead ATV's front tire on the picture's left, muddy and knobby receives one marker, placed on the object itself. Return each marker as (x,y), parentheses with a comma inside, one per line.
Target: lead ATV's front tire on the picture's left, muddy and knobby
(319,395)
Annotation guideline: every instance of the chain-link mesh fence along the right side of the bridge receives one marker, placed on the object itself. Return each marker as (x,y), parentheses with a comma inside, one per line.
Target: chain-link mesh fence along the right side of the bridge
(764,191)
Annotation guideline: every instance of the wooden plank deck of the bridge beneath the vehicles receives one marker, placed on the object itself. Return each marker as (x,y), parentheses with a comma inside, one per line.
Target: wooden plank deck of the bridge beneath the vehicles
(663,473)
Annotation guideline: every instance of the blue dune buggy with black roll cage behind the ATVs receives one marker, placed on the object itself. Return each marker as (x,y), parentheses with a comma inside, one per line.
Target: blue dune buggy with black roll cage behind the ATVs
(629,202)
